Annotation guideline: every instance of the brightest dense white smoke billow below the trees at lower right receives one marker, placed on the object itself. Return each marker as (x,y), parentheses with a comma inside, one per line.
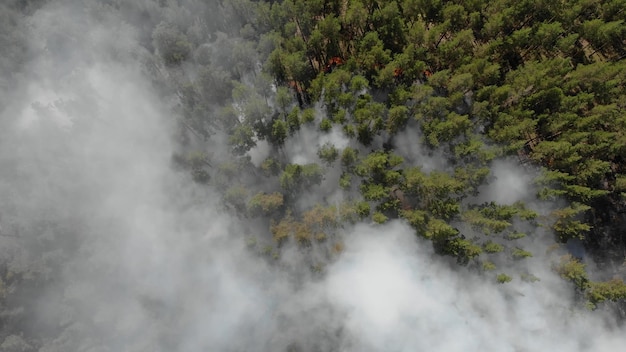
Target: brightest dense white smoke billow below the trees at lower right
(400,297)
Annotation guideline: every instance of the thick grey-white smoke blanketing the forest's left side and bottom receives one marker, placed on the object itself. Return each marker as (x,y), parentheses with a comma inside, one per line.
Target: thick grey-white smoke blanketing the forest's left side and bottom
(137,257)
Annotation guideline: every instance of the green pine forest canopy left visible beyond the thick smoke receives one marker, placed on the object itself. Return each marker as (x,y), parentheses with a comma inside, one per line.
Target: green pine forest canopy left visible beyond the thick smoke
(465,83)
